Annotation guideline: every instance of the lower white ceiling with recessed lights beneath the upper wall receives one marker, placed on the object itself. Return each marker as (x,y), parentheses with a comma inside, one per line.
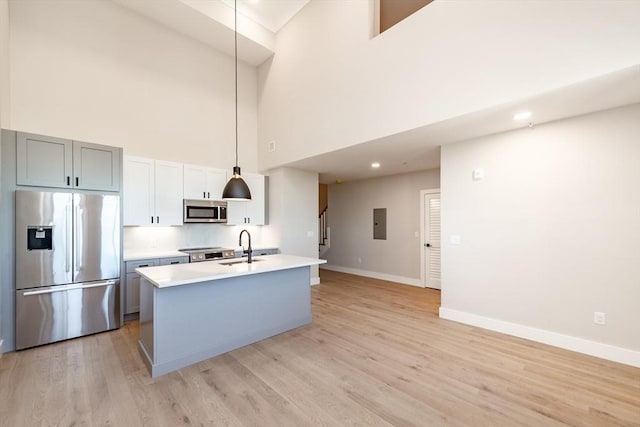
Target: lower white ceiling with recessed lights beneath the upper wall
(419,149)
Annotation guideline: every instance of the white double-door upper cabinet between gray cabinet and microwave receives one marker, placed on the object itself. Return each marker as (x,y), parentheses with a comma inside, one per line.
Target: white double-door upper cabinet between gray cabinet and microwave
(152,192)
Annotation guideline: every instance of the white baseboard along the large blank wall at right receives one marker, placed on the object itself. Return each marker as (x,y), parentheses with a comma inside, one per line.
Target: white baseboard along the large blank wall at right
(580,345)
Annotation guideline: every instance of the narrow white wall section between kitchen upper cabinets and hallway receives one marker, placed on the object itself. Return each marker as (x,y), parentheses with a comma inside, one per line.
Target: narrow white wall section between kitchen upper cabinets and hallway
(293,213)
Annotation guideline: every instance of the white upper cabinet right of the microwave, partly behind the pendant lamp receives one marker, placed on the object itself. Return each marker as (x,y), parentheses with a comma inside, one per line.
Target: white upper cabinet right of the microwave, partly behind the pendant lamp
(251,212)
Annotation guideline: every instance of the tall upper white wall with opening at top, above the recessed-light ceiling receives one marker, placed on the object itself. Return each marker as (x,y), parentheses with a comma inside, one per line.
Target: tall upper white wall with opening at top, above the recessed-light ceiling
(329,85)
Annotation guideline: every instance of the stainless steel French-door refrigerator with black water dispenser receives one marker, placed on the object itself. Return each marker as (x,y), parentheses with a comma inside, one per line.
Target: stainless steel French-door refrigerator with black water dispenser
(67,265)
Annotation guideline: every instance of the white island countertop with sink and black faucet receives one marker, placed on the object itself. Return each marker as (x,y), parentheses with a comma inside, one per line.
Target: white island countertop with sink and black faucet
(183,274)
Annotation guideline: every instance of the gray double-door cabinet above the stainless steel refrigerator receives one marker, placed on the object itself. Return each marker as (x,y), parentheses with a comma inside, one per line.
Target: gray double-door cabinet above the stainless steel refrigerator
(46,161)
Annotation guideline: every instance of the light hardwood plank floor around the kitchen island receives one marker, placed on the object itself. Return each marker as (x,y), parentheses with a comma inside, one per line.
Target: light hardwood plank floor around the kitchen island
(376,354)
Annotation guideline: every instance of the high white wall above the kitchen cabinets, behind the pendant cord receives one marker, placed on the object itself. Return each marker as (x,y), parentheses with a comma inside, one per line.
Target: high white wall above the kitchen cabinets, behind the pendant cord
(95,71)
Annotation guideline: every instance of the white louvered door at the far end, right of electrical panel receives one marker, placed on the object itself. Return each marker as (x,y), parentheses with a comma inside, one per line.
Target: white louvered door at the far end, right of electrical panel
(431,243)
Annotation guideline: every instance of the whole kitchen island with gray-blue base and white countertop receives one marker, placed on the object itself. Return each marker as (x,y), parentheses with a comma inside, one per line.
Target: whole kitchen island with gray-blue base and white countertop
(191,312)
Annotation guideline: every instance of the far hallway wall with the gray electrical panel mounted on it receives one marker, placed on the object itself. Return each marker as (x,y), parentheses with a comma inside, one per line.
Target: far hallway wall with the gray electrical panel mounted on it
(350,218)
